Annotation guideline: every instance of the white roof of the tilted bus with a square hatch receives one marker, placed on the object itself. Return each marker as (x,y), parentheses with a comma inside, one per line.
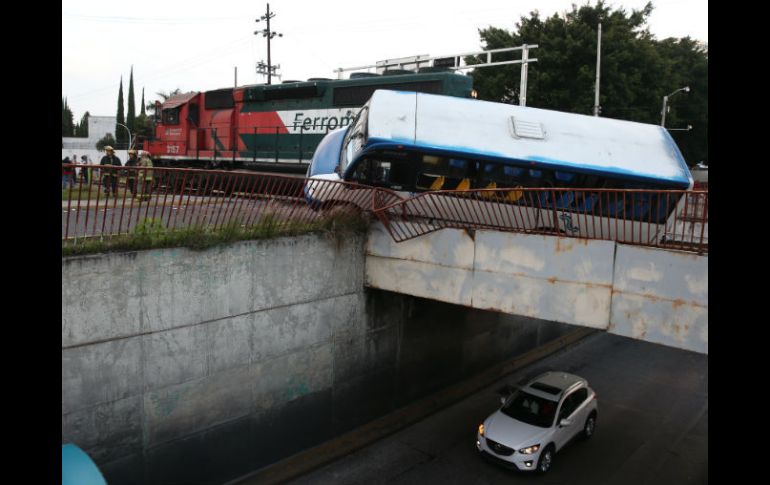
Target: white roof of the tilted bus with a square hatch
(550,139)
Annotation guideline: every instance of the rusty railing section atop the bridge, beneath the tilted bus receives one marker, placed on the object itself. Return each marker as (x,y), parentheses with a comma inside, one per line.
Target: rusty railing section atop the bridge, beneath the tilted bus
(666,219)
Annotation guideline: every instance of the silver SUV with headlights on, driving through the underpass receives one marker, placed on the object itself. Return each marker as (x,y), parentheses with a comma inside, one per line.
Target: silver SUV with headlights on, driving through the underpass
(537,420)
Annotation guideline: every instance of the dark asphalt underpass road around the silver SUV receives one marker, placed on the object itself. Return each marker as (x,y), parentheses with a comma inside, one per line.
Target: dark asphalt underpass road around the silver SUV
(652,427)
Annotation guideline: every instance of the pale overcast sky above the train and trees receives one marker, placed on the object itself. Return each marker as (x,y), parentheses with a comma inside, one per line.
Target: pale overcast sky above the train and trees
(195,46)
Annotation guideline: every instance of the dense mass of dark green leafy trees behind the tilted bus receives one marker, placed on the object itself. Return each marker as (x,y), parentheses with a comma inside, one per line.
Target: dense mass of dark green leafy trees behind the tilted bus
(636,70)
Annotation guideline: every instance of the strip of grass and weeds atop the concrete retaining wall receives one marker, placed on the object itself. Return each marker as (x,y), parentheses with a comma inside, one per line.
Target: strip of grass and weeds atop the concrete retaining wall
(152,234)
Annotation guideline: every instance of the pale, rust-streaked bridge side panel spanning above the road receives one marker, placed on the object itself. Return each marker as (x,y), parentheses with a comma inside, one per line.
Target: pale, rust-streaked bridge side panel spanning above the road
(651,294)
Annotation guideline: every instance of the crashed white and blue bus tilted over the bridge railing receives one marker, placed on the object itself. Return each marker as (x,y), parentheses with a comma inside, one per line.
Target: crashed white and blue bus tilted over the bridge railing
(414,142)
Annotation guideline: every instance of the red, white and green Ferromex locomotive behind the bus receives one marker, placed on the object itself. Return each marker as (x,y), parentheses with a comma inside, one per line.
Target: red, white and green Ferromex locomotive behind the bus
(275,127)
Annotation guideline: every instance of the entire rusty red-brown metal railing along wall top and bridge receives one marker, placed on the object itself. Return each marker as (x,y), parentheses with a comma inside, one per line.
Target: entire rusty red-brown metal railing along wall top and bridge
(116,200)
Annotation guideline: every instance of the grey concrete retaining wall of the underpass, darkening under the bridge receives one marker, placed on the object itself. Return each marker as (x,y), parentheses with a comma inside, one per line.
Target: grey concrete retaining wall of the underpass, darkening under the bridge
(186,366)
